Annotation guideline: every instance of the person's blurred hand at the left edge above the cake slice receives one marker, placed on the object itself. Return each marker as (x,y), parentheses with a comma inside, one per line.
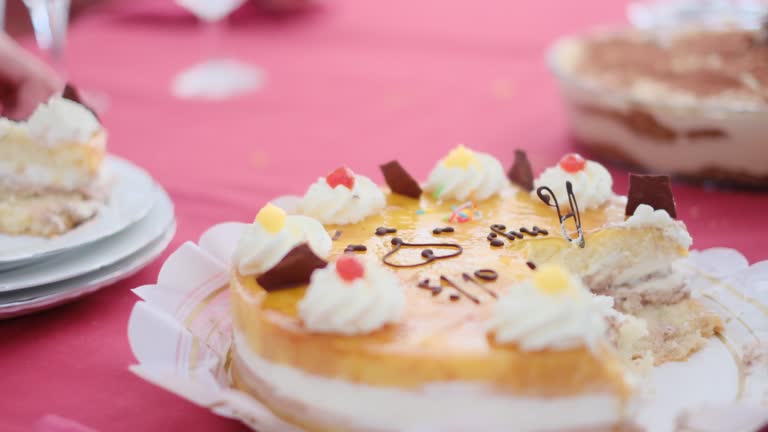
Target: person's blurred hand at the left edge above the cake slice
(25,82)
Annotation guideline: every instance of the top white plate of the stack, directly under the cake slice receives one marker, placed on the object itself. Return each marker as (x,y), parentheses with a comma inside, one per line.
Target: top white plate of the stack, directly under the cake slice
(132,196)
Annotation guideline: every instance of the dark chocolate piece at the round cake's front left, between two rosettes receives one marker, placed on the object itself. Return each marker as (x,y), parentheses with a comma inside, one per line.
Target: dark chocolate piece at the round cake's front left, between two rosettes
(294,269)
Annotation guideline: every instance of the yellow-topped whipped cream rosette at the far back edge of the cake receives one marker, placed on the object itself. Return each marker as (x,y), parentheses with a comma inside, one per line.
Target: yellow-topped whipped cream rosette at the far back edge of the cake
(465,174)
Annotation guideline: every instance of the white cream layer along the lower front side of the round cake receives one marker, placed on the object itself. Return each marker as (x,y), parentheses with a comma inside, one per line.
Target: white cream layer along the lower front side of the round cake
(441,406)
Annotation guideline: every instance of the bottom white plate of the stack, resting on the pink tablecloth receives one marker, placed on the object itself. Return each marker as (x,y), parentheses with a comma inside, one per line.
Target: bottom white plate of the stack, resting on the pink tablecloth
(26,301)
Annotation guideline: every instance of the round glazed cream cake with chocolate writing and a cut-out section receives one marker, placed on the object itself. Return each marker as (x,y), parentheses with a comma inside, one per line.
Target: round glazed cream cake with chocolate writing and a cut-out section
(432,306)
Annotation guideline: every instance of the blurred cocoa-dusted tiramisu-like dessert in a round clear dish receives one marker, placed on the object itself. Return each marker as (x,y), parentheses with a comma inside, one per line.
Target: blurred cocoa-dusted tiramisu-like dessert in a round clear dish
(690,102)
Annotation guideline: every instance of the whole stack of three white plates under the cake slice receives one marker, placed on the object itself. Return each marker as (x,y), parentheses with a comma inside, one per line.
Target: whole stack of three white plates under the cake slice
(136,224)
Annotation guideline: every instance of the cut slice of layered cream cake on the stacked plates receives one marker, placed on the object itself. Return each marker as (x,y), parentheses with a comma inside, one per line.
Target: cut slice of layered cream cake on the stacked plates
(51,169)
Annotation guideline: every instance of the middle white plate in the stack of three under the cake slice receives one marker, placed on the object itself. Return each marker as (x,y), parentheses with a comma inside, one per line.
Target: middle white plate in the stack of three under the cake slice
(96,256)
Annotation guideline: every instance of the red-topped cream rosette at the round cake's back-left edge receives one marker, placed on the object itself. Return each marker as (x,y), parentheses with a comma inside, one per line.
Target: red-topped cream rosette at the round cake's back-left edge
(342,197)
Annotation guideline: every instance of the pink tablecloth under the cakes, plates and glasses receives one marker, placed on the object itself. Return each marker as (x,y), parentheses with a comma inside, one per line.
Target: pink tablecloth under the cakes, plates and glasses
(358,82)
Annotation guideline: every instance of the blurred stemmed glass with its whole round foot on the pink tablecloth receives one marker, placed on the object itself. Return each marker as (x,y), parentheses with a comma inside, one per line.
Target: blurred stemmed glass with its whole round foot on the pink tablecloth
(215,78)
